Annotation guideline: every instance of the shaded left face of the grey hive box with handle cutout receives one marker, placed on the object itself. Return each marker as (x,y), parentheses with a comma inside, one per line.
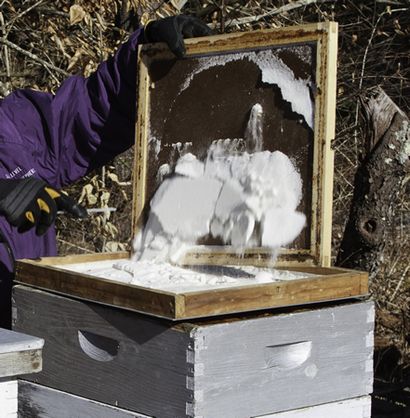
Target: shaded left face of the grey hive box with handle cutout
(146,373)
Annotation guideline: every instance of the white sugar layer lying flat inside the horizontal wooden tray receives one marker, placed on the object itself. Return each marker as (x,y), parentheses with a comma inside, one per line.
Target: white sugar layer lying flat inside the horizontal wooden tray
(164,276)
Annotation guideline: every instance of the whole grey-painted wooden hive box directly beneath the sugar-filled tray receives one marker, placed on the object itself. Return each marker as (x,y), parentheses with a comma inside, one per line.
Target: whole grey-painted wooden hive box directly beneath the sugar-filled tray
(220,368)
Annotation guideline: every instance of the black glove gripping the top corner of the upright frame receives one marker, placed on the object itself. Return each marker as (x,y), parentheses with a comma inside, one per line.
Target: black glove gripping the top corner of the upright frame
(173,30)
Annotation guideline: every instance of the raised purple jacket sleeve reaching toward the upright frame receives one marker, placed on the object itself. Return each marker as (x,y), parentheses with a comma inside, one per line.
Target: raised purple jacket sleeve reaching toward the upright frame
(85,124)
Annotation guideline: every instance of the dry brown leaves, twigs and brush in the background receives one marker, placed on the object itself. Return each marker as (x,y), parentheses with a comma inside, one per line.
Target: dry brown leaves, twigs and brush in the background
(44,41)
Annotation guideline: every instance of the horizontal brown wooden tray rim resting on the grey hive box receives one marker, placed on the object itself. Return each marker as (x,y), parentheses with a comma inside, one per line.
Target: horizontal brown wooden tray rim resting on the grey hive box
(328,284)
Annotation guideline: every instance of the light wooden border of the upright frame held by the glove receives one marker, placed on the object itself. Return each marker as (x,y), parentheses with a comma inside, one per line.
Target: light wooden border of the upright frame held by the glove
(324,35)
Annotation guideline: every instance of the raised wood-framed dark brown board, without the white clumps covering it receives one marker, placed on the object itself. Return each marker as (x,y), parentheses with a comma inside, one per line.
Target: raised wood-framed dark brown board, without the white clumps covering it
(184,105)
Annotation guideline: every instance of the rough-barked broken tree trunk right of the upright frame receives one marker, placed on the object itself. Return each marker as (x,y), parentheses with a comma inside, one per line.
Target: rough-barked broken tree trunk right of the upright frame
(377,185)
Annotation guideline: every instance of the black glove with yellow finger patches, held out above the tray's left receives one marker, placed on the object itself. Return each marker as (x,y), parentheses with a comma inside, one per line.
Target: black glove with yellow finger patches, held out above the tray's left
(32,202)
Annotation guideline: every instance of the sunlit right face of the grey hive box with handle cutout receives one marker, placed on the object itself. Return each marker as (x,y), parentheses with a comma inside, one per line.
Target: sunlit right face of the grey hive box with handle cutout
(283,362)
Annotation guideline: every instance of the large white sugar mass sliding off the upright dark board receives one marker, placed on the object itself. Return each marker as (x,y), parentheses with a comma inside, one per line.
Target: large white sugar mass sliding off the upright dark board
(245,199)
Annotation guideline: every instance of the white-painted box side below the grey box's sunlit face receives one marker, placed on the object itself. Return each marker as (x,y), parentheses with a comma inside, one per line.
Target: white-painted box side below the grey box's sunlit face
(350,408)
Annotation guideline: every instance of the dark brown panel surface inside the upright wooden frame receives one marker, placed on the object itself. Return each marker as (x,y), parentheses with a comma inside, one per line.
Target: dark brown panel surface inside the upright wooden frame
(217,105)
